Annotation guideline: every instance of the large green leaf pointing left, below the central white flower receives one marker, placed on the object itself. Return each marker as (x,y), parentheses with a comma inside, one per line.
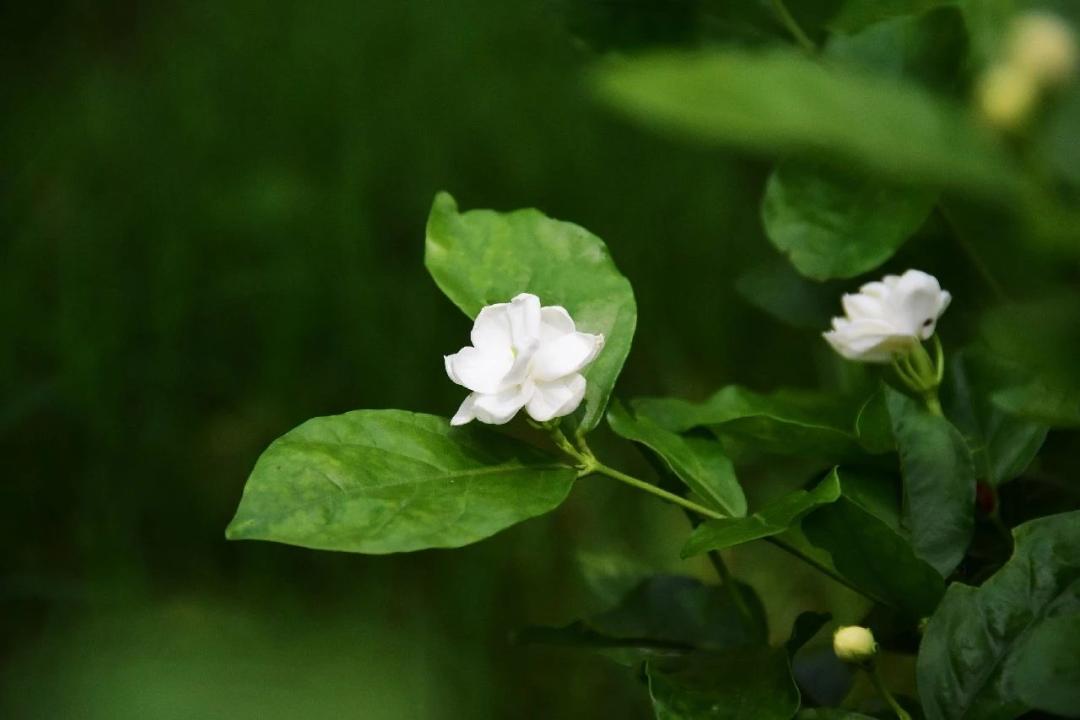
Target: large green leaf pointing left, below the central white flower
(390,482)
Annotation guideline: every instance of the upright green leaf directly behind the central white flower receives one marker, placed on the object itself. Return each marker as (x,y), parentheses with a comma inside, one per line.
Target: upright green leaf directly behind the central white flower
(483,257)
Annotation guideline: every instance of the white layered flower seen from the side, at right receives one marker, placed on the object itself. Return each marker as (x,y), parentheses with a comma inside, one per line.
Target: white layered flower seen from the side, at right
(889,318)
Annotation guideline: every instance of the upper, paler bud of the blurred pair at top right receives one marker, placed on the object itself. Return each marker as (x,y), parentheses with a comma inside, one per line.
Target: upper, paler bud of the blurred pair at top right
(1044,47)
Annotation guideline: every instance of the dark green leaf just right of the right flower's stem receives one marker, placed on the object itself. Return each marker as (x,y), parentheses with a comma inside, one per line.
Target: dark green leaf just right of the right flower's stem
(1003,444)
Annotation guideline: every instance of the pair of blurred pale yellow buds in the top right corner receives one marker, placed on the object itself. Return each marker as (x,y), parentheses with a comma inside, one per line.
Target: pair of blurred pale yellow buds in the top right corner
(1041,56)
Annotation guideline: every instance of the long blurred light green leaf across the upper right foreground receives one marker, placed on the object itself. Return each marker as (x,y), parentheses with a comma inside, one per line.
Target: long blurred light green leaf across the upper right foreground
(785,103)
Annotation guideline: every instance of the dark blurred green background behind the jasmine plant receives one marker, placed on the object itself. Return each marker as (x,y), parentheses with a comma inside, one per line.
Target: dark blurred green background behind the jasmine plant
(212,229)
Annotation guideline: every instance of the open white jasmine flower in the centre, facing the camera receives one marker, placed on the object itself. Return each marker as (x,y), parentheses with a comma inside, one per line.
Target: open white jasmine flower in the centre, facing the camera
(522,356)
